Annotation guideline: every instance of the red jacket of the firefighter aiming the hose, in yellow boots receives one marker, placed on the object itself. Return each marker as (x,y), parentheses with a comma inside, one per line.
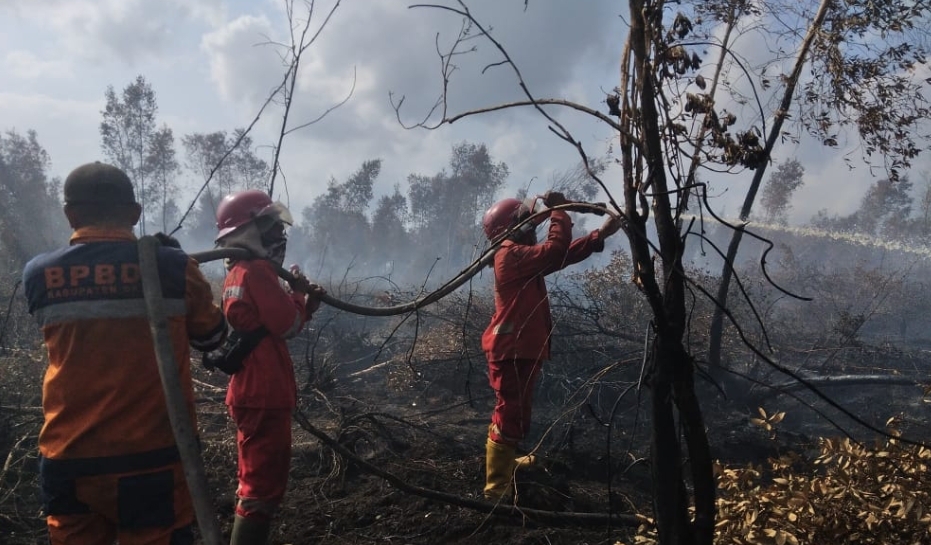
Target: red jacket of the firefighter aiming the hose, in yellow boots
(521,325)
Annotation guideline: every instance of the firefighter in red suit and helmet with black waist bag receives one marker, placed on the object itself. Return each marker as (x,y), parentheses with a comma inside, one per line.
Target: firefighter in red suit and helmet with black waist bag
(263,394)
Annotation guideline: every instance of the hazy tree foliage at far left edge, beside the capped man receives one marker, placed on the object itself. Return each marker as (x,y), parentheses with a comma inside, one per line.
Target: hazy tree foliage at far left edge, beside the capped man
(31,220)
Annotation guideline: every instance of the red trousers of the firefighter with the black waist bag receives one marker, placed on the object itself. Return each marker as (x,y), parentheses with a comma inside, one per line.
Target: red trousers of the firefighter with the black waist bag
(263,438)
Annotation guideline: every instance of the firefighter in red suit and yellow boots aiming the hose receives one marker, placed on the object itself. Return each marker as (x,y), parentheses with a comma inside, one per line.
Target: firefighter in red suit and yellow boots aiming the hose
(517,341)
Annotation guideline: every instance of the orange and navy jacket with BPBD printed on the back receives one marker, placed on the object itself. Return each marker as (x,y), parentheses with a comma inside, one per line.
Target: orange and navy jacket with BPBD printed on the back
(102,394)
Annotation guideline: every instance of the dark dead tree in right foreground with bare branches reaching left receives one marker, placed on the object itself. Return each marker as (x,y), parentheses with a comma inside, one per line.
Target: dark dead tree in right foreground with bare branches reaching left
(640,123)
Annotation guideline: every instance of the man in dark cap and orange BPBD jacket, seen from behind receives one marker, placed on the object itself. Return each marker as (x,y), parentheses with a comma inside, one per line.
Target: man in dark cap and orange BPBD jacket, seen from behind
(109,466)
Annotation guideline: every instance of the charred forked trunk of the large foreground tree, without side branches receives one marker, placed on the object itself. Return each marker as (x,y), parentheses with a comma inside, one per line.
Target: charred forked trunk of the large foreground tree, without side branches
(671,373)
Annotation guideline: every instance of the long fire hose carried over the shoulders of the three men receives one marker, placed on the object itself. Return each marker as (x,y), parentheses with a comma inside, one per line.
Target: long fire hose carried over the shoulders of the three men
(181,422)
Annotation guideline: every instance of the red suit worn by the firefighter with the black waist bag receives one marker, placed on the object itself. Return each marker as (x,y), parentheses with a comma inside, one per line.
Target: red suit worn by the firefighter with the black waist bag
(263,393)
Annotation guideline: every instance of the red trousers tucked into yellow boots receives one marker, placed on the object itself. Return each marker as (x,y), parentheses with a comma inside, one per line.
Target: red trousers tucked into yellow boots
(513,382)
